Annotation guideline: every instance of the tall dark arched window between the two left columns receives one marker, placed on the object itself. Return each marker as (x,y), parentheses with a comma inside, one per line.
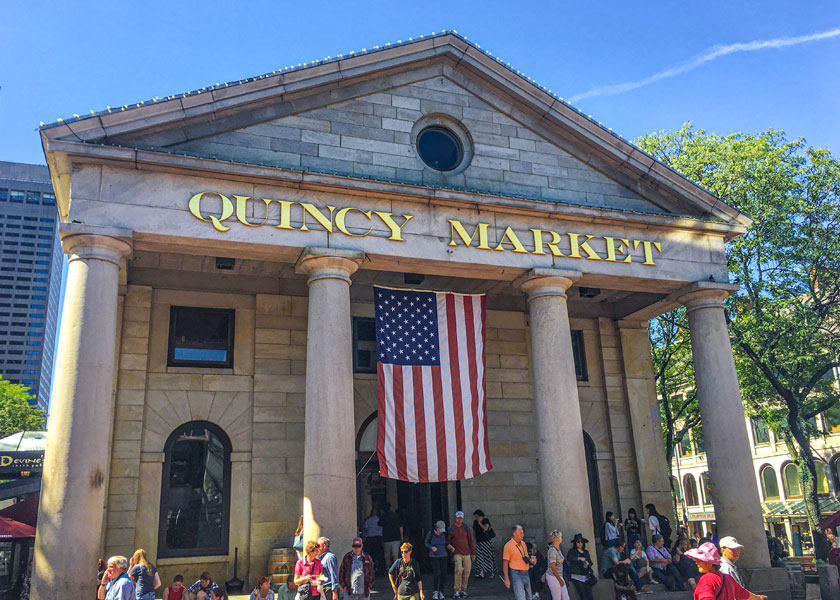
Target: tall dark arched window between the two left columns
(195,492)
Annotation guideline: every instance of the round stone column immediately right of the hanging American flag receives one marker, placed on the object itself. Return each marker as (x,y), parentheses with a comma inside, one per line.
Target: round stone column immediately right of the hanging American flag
(559,425)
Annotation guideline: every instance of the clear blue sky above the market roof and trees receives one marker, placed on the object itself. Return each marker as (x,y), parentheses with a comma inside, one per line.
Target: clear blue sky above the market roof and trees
(65,58)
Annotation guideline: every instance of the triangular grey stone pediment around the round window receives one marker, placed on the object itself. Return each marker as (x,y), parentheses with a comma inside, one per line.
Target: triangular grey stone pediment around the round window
(361,120)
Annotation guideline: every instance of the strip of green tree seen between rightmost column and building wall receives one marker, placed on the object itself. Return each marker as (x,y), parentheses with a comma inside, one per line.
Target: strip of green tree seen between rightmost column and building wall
(673,370)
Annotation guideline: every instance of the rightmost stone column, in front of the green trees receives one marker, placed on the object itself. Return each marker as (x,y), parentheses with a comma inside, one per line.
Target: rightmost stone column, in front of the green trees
(734,490)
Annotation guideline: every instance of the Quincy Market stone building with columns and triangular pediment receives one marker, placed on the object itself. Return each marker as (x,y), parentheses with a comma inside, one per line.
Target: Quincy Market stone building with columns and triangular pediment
(216,365)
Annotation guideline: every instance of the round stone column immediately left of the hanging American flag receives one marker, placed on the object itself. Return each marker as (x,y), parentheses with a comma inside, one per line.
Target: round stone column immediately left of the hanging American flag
(329,462)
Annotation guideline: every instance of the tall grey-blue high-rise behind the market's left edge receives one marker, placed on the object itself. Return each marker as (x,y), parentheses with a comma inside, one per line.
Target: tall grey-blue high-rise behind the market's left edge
(30,277)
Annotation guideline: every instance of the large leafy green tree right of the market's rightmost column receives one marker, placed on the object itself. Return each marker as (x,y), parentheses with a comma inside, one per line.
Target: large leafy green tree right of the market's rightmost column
(785,320)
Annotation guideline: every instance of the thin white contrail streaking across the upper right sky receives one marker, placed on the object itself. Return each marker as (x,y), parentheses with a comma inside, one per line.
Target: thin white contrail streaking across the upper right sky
(708,55)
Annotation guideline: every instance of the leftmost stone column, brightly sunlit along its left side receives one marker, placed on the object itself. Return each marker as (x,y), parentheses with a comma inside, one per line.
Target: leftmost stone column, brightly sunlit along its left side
(78,451)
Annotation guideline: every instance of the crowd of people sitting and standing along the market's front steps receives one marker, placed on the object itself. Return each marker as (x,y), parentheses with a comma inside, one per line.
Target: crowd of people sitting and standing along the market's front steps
(705,565)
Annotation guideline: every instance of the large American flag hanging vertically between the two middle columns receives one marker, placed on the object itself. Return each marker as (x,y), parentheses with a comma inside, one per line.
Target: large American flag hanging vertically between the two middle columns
(432,420)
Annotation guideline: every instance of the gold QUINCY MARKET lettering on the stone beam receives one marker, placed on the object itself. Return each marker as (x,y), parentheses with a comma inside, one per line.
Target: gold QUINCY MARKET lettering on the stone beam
(222,211)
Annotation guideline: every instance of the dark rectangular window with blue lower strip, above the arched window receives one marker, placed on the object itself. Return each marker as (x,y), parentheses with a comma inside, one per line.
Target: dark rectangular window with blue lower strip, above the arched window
(201,337)
